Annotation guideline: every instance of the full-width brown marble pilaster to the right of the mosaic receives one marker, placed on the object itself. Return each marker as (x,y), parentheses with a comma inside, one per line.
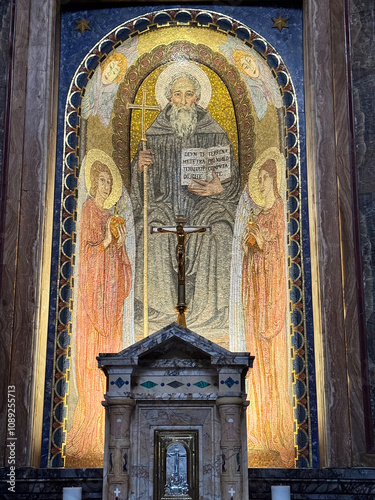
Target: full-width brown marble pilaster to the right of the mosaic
(340,408)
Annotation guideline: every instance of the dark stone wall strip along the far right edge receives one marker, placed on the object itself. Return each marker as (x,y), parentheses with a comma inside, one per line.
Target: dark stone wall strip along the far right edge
(362,24)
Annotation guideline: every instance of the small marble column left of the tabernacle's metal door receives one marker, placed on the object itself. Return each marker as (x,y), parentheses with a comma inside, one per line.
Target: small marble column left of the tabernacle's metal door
(116,459)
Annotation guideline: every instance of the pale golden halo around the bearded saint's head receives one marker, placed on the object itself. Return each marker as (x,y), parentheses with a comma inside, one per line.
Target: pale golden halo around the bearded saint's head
(189,68)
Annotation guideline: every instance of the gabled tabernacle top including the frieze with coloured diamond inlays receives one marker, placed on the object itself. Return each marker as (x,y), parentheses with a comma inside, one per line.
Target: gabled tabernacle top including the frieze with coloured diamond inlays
(175,363)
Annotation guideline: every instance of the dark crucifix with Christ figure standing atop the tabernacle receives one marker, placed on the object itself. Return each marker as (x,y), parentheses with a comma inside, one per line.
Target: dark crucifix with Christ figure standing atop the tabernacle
(181,232)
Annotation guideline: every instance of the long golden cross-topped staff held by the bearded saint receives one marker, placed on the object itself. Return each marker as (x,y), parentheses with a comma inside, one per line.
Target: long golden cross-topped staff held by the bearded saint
(144,107)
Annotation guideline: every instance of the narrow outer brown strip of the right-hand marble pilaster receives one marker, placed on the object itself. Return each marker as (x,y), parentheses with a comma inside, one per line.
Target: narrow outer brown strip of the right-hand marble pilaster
(347,215)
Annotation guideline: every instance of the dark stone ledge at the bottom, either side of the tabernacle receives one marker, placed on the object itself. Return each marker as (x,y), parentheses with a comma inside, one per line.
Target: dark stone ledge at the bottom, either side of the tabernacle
(307,484)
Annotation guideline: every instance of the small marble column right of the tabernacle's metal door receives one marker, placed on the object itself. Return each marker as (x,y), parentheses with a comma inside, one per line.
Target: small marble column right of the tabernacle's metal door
(232,465)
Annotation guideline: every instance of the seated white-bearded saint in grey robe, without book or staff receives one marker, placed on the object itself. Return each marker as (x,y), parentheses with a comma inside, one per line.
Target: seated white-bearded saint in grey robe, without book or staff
(183,123)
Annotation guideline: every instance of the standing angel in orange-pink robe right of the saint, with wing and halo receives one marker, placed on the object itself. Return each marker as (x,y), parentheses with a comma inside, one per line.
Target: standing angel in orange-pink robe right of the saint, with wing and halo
(258,317)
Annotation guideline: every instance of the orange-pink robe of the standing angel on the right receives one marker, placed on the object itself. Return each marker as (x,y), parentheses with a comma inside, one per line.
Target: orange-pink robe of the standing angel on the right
(270,414)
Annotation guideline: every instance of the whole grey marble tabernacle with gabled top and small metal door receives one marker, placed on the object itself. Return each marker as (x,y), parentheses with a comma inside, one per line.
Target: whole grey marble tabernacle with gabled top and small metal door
(175,383)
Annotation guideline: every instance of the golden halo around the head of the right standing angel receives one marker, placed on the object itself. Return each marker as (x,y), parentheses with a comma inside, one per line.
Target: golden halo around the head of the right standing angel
(253,183)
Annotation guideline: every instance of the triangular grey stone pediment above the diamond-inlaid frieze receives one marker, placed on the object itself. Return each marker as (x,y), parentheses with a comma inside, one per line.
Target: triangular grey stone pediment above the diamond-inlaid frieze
(175,345)
